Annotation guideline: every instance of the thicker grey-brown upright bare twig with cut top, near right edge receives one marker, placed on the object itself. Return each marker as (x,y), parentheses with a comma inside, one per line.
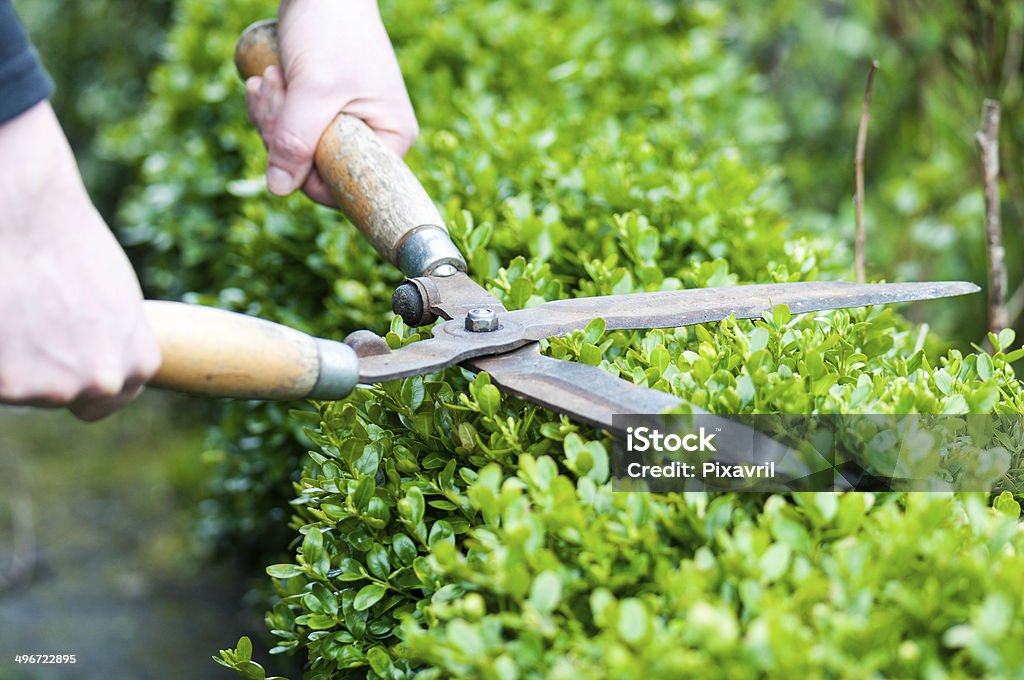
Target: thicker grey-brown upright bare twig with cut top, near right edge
(989,143)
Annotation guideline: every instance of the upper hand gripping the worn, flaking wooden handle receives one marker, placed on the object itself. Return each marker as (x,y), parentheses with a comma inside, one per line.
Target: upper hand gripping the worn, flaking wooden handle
(336,57)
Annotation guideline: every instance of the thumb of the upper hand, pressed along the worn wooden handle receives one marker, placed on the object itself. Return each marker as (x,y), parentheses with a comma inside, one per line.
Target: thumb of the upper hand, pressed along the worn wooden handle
(303,121)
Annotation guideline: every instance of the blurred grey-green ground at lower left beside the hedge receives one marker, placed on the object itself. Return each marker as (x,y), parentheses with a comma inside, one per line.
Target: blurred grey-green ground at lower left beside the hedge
(101,517)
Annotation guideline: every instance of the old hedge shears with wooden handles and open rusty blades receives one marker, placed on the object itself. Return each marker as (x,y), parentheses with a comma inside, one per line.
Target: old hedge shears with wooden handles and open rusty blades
(223,354)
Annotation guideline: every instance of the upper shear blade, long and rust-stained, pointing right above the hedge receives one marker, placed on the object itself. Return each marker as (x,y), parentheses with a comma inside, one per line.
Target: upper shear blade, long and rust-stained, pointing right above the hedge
(701,306)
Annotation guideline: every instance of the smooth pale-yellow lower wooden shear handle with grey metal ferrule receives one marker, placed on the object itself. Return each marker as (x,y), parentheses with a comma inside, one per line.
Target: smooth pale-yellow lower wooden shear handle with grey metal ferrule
(223,354)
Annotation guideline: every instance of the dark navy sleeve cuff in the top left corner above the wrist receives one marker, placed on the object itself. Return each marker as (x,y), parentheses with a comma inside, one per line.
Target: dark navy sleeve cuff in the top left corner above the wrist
(23,80)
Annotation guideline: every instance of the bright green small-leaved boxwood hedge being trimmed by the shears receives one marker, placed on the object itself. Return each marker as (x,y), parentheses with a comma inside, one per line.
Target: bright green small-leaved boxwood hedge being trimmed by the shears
(443,530)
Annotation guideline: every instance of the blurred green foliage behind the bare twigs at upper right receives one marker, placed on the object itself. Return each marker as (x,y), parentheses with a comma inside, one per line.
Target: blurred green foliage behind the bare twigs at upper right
(924,209)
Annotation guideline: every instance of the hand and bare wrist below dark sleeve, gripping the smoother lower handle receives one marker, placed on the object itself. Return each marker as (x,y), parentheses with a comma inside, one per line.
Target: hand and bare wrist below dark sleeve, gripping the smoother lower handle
(73,333)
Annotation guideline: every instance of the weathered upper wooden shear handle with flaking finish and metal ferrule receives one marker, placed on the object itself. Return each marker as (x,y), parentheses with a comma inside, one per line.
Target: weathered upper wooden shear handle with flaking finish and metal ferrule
(371,185)
